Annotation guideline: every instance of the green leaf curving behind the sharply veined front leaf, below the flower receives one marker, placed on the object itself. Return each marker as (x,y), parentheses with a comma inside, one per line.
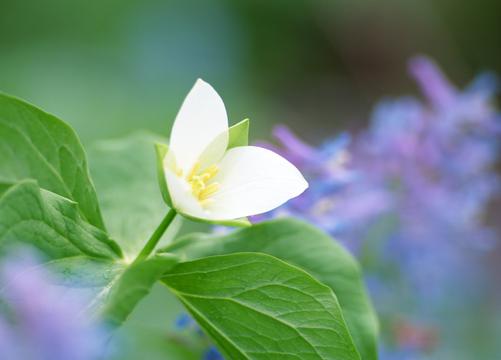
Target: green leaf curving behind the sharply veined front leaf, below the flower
(302,245)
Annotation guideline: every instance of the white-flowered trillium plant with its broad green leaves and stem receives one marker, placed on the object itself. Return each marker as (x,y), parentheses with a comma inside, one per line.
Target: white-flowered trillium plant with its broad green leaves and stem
(275,290)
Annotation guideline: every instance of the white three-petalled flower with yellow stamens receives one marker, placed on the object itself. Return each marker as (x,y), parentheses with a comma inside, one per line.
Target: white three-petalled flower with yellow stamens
(207,180)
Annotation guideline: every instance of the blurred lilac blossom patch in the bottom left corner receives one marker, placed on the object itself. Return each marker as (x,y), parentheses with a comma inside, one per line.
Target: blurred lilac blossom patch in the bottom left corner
(38,321)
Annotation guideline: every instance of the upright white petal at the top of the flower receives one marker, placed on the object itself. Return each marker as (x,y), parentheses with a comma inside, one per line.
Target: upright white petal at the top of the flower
(200,120)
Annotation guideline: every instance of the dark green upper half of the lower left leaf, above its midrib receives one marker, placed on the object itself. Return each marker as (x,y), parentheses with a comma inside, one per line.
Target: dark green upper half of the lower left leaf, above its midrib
(51,223)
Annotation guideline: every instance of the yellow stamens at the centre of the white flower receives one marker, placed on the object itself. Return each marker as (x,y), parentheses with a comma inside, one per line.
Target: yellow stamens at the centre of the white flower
(201,185)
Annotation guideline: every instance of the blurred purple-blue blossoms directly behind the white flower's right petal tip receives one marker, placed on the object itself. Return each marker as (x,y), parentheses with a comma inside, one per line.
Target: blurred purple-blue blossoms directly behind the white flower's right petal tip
(335,200)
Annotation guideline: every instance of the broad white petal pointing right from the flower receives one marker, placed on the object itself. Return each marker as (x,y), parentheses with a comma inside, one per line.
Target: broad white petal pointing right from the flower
(253,180)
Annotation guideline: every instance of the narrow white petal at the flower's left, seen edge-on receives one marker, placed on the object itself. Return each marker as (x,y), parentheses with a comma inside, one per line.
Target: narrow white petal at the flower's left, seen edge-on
(181,195)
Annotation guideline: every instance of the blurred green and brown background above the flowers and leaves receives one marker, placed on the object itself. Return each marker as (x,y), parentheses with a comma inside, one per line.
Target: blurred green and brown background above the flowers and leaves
(112,67)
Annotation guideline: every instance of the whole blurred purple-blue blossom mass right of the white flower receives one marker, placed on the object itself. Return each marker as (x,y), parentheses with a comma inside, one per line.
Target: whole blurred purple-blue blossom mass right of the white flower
(409,195)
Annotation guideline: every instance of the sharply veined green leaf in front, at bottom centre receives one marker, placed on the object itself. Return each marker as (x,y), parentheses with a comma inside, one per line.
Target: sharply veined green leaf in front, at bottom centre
(258,307)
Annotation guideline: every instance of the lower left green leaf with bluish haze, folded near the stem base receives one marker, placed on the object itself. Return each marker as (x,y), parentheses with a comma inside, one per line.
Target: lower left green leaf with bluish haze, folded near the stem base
(82,256)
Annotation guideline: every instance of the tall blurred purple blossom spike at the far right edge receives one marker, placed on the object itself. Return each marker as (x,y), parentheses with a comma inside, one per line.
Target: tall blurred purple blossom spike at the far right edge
(442,171)
